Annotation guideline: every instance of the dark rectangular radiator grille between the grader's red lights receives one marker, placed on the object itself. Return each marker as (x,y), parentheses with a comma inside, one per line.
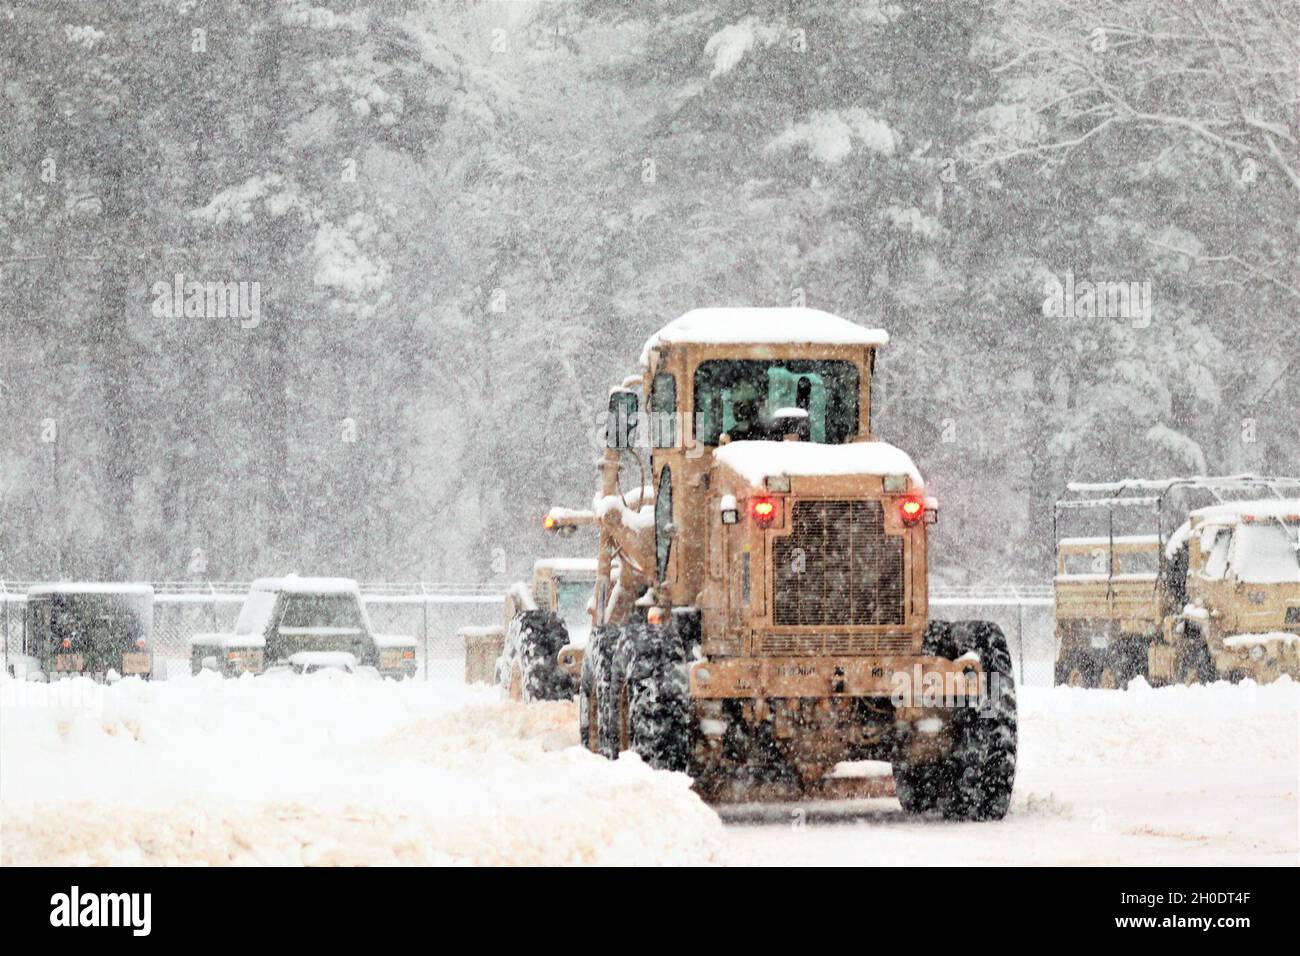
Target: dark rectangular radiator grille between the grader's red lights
(838,568)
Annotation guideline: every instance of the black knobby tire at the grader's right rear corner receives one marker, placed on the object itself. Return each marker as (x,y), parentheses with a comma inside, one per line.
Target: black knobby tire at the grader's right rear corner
(976,781)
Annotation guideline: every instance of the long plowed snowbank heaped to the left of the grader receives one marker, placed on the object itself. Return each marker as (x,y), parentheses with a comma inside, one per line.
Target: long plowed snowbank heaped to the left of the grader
(324,769)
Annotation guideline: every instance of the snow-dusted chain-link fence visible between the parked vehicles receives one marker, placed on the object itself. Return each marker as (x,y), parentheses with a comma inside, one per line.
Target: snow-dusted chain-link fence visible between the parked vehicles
(434,613)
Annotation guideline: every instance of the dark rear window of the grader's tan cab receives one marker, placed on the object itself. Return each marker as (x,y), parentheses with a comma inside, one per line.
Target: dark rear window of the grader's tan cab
(743,397)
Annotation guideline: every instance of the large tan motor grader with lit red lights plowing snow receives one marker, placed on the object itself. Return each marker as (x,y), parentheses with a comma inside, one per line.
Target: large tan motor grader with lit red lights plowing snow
(760,612)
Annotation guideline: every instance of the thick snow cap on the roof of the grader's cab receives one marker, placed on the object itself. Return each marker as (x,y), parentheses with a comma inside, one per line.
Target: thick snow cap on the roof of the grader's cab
(761,327)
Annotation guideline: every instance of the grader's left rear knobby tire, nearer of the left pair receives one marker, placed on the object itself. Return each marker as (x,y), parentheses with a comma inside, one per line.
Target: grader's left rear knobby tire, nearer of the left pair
(656,695)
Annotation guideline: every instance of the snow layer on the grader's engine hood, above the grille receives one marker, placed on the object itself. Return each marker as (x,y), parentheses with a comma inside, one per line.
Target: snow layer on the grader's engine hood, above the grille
(756,461)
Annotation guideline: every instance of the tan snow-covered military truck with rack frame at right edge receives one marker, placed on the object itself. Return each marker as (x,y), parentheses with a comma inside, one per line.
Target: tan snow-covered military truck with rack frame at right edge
(1160,604)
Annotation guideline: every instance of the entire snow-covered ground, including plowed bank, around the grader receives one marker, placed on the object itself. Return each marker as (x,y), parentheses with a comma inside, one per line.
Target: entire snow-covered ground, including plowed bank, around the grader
(332,769)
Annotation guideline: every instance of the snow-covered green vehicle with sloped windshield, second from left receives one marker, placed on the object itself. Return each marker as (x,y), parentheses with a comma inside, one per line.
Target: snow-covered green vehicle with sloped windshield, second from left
(304,625)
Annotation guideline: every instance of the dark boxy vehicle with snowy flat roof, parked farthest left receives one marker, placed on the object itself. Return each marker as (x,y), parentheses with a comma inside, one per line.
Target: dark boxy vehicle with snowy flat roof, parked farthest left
(101,631)
